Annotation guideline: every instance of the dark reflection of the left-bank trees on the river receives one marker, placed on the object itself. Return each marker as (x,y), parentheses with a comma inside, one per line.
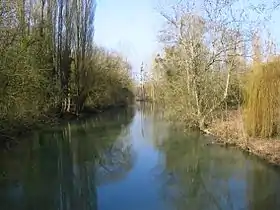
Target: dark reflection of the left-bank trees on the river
(61,169)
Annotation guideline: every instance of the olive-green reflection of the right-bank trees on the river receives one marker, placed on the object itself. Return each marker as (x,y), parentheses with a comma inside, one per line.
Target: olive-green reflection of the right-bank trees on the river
(195,176)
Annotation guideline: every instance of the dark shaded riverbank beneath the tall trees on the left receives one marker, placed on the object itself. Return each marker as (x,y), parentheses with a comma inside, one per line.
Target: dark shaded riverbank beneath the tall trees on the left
(12,131)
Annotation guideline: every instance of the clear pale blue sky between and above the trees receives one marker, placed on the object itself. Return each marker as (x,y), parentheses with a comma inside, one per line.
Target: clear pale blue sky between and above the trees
(131,26)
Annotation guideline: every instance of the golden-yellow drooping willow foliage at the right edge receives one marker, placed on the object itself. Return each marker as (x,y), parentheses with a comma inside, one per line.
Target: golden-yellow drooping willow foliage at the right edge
(262,99)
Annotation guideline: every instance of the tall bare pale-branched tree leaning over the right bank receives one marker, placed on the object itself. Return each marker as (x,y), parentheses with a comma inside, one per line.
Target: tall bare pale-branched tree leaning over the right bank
(202,53)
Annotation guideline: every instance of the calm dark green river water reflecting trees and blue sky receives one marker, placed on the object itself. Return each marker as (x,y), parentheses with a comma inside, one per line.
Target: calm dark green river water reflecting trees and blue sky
(131,160)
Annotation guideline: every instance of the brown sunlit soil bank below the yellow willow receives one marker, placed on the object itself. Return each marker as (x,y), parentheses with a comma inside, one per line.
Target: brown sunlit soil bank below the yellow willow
(229,131)
